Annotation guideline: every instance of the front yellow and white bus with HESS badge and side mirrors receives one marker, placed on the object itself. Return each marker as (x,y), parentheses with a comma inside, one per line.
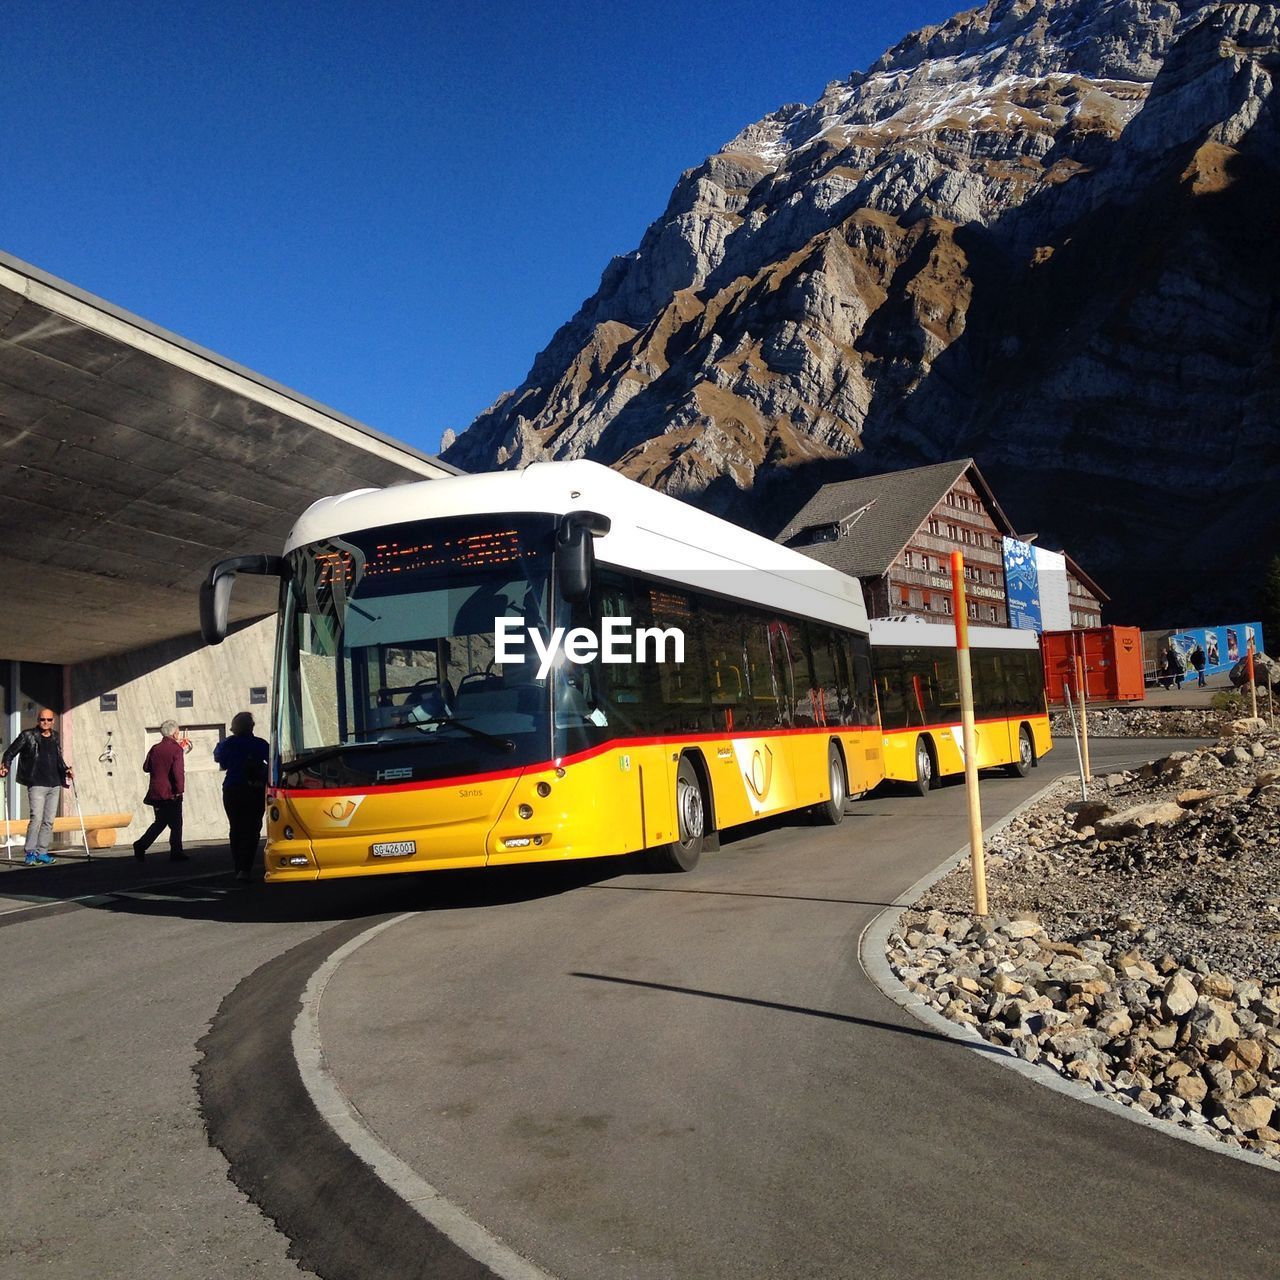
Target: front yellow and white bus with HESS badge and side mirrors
(547,665)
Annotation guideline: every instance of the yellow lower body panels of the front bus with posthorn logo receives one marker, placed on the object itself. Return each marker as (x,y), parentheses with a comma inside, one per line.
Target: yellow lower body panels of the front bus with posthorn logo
(618,799)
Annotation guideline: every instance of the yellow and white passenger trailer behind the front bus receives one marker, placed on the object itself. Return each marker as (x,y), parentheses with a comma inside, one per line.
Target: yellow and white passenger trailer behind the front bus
(918,691)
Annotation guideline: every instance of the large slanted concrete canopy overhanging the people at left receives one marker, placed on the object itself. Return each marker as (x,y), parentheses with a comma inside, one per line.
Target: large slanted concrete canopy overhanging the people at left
(131,460)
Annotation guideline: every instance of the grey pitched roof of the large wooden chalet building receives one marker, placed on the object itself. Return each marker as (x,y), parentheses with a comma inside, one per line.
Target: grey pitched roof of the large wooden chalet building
(879,515)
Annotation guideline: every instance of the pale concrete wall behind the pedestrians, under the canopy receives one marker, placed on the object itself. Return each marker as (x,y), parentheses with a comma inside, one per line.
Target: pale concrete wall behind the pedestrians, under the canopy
(147,684)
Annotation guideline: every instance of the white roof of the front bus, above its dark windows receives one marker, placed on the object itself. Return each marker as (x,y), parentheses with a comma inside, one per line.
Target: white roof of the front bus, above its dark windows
(651,533)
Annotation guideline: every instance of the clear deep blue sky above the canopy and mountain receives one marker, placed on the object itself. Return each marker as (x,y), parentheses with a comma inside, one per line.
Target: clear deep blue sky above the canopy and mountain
(388,207)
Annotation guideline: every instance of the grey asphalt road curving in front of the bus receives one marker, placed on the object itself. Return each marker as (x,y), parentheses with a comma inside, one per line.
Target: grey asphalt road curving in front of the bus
(618,1075)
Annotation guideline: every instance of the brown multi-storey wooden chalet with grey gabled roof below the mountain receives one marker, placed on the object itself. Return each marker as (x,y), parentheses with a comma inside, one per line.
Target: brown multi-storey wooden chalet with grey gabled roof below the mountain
(897,533)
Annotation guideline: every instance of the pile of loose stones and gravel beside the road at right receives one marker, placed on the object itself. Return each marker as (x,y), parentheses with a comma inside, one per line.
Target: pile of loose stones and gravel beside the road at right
(1139,949)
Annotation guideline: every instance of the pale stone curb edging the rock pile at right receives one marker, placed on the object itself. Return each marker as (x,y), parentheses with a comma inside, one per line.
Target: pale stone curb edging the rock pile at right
(871,957)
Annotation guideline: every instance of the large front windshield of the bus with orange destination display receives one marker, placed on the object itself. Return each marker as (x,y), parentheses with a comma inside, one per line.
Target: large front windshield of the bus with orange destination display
(387,664)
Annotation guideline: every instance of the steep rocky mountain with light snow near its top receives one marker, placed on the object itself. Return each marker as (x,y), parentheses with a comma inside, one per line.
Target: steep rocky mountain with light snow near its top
(1044,234)
